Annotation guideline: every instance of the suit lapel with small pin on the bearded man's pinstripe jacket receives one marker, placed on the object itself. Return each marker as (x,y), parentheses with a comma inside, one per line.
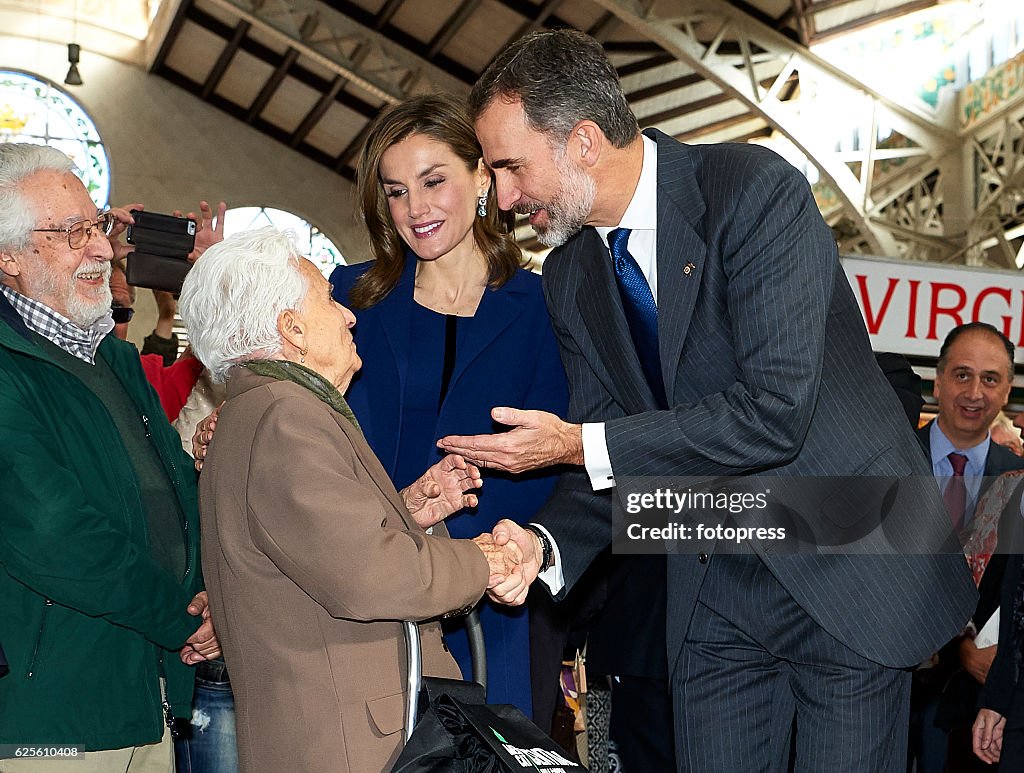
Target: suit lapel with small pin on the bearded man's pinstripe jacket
(681,253)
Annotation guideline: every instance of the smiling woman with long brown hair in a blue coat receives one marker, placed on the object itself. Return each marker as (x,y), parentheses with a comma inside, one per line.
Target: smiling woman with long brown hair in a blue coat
(449,326)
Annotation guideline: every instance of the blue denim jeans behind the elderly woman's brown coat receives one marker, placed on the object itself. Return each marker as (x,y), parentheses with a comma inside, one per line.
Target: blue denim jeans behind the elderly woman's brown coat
(210,745)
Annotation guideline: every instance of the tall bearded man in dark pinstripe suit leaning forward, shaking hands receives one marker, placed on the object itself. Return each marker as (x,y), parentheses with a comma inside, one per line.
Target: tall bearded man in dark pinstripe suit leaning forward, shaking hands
(763,367)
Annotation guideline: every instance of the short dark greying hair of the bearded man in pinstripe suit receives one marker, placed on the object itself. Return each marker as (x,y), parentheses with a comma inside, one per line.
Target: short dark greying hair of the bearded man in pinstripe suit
(562,77)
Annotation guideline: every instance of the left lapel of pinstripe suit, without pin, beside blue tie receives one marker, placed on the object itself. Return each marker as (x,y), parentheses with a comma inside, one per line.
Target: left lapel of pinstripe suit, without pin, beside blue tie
(602,309)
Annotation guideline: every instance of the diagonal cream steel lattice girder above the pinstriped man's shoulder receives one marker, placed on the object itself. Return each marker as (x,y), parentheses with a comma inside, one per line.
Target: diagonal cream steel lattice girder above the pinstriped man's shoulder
(894,208)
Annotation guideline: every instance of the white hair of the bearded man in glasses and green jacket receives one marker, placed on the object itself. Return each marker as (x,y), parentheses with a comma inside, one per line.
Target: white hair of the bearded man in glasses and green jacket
(18,161)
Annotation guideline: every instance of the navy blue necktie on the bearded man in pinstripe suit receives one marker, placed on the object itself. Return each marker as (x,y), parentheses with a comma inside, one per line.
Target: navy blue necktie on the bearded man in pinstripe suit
(642,312)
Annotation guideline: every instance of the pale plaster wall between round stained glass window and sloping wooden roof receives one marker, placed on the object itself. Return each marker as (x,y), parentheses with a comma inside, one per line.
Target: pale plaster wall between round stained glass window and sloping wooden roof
(168,150)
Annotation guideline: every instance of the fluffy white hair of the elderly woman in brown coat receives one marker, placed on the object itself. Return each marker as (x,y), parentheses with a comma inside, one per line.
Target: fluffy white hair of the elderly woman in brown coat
(234,294)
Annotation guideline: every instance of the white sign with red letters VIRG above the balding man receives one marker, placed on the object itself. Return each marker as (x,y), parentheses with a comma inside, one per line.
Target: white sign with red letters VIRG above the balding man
(910,308)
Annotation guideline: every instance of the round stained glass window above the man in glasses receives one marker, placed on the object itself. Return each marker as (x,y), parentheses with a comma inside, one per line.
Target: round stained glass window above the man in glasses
(33,110)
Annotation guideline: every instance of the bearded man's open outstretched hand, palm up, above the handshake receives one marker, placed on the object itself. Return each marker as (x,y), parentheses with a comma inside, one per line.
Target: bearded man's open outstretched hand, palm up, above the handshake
(537,440)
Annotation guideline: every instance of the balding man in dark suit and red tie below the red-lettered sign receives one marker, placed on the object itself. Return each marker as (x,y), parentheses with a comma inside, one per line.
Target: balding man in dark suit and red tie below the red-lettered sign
(972,385)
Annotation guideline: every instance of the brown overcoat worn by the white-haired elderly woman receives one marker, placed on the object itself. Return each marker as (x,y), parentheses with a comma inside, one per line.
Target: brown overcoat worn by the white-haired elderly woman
(312,561)
